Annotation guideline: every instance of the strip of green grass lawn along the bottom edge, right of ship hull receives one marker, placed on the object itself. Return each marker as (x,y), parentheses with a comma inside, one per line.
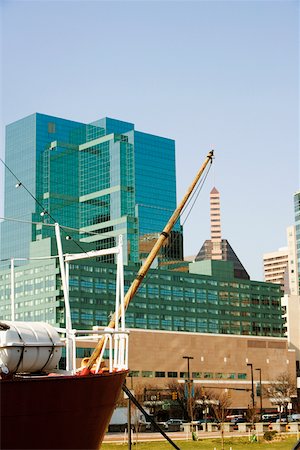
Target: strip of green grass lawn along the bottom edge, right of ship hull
(280,443)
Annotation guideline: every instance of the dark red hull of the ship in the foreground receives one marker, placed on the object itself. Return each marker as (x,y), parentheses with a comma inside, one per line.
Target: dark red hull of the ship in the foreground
(58,412)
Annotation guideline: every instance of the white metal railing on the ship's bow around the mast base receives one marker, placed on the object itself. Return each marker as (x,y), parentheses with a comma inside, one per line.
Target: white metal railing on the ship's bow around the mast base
(115,342)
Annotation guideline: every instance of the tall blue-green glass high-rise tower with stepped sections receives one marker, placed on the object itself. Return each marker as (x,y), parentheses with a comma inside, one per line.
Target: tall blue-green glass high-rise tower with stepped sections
(101,179)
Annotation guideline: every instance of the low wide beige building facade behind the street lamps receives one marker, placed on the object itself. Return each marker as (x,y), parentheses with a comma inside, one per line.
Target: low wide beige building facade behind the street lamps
(219,362)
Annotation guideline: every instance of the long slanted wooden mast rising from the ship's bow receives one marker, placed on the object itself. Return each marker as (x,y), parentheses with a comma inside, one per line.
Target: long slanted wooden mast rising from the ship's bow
(149,260)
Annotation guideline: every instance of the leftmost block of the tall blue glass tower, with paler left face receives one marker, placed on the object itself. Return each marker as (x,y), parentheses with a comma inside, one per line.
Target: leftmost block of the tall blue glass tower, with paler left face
(26,141)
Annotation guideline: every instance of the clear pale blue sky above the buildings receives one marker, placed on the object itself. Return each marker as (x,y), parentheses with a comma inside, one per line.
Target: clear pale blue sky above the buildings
(205,73)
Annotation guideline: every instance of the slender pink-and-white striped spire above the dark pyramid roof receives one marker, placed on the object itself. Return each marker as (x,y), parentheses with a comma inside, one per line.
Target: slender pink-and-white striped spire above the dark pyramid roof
(215,224)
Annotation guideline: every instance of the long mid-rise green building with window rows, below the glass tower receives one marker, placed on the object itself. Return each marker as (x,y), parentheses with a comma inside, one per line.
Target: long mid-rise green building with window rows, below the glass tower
(208,299)
